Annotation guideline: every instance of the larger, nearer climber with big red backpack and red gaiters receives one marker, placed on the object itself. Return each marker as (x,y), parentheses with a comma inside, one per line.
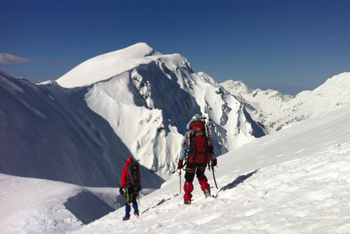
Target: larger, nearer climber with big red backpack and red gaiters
(198,151)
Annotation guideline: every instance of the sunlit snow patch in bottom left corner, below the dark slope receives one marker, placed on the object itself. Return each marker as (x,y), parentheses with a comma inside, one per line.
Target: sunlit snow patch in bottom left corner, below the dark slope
(35,206)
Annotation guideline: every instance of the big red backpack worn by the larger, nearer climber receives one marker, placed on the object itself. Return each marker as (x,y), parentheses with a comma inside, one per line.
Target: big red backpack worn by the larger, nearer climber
(199,143)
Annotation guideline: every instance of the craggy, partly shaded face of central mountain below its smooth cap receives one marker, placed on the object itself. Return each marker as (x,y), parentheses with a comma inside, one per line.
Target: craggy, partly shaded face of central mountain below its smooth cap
(149,106)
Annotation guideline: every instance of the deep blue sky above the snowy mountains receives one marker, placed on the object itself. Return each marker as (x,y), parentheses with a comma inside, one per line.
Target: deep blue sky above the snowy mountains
(288,46)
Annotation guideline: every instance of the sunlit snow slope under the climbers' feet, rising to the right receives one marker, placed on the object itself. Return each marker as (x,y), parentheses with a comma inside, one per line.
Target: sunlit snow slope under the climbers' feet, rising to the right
(292,181)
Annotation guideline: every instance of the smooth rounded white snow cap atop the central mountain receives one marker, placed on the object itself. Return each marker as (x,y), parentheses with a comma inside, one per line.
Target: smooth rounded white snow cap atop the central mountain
(107,65)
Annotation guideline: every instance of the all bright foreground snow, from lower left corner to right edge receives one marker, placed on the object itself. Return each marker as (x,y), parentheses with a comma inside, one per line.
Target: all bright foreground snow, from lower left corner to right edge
(293,181)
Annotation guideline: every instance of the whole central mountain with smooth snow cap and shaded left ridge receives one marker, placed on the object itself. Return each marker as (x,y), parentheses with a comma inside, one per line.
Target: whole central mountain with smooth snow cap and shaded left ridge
(131,102)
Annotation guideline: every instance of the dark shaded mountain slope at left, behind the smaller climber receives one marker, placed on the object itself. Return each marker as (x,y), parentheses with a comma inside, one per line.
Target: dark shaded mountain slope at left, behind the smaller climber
(49,132)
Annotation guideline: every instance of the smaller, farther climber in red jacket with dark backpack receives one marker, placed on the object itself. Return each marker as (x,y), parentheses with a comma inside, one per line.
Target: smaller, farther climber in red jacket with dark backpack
(130,186)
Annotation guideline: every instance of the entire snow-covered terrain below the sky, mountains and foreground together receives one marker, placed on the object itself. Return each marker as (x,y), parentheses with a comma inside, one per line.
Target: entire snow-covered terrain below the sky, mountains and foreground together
(291,181)
